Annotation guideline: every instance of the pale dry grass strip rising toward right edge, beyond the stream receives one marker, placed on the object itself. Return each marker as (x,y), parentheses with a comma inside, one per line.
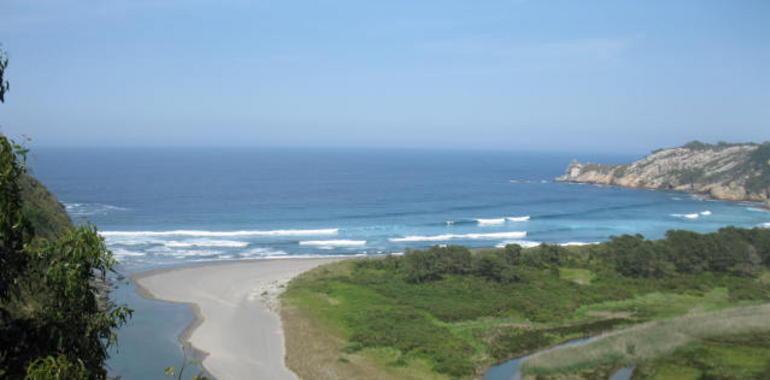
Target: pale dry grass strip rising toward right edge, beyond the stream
(654,339)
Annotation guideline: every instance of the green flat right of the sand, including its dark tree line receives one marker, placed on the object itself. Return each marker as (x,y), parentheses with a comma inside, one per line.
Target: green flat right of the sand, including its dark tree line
(461,311)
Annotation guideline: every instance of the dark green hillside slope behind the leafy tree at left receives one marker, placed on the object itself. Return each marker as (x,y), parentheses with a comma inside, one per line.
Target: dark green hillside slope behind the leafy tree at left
(47,215)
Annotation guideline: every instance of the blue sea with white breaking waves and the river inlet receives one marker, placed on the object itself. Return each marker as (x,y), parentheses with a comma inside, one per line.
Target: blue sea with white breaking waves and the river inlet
(167,207)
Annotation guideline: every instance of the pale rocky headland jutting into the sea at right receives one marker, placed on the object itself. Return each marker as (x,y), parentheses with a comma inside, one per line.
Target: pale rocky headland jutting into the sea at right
(726,171)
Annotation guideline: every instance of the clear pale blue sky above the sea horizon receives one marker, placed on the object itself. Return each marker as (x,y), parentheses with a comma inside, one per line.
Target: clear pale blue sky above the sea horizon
(611,76)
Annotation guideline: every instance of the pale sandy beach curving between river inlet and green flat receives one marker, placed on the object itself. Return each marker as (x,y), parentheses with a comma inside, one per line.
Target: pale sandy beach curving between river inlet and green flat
(237,326)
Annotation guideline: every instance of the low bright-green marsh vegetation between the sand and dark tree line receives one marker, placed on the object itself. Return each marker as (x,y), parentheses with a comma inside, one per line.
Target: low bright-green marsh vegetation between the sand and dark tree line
(366,320)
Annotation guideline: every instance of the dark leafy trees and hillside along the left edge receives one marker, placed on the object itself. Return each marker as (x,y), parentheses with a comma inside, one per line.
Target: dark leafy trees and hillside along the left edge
(52,325)
